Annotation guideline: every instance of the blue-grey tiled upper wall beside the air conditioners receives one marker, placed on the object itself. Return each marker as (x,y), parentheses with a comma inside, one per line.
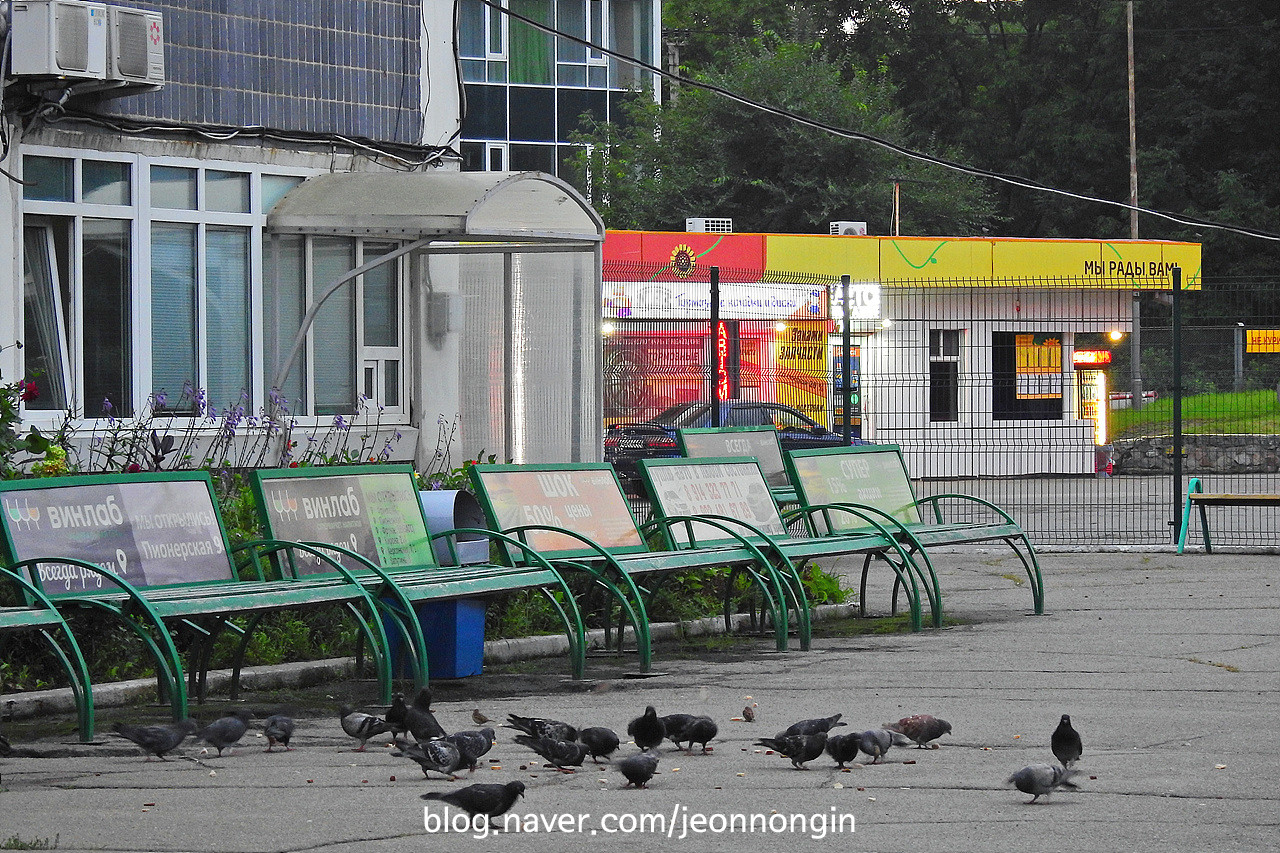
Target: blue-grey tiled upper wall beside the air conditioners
(348,67)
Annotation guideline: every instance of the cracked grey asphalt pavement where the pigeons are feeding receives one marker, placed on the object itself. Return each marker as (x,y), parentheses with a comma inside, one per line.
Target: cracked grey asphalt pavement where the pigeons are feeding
(1167,664)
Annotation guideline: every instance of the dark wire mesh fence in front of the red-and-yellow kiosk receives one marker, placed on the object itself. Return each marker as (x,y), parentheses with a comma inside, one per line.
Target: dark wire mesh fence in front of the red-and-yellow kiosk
(1023,394)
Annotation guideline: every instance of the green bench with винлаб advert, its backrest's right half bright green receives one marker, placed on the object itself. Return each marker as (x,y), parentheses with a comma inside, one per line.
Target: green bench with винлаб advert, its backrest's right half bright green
(369,522)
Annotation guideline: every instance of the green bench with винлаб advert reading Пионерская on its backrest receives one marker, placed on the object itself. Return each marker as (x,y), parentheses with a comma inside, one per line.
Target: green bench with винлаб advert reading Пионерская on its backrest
(150,550)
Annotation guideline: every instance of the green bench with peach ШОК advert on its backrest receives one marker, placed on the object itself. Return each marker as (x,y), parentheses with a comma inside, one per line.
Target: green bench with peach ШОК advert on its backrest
(578,517)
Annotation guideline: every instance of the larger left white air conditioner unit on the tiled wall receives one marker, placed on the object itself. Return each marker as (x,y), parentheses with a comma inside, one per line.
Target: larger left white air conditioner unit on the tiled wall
(60,39)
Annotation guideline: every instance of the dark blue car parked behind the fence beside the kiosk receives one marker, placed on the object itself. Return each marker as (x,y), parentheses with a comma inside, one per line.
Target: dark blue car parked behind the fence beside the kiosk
(628,444)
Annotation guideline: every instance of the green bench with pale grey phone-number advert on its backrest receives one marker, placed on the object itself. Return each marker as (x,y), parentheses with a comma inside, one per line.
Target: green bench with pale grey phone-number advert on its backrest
(735,494)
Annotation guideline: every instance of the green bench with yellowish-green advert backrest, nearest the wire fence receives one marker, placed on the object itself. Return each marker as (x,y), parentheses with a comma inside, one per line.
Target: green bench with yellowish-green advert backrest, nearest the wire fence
(875,477)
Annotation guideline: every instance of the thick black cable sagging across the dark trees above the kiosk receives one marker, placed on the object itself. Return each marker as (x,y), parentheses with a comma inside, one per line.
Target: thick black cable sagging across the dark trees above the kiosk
(1016,181)
